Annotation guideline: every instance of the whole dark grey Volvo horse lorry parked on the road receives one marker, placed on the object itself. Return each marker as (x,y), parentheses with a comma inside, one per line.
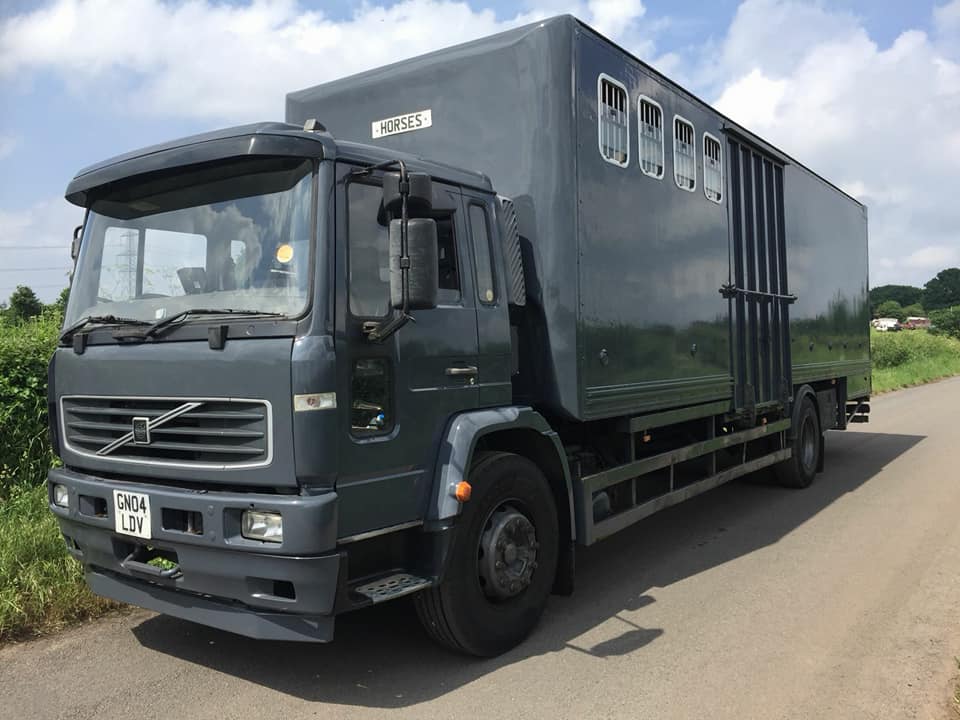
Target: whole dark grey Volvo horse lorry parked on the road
(453,318)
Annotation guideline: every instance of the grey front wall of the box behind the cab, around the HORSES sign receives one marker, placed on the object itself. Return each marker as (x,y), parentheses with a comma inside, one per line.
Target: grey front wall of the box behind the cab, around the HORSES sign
(501,106)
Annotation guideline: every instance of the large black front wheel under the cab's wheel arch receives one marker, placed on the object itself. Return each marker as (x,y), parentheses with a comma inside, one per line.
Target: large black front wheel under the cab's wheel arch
(477,609)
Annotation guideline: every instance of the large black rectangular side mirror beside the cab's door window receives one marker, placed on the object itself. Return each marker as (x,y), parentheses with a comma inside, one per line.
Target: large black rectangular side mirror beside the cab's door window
(423,275)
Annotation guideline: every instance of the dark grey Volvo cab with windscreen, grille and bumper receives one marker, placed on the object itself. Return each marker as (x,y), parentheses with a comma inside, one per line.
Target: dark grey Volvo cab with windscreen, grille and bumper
(239,444)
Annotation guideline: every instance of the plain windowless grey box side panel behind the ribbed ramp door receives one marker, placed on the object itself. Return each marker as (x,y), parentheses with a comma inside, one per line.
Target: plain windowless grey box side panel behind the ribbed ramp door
(827,268)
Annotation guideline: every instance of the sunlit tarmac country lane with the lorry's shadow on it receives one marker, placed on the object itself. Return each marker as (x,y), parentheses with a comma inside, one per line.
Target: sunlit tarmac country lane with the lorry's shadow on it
(840,601)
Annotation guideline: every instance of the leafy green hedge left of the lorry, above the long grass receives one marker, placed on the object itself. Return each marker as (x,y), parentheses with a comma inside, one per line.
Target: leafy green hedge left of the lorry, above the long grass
(25,350)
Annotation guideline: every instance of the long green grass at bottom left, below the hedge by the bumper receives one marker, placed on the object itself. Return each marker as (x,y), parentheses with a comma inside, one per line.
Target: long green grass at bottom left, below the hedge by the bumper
(41,586)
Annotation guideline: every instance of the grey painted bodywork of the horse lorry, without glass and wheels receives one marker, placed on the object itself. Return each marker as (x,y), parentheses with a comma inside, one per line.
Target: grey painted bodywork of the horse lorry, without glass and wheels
(646,307)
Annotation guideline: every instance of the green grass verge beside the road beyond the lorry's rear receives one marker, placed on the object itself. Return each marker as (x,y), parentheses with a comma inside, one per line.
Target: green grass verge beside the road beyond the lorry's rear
(912,357)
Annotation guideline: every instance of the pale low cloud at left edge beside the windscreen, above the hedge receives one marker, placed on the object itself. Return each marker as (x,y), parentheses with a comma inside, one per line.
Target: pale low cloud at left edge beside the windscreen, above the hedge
(35,247)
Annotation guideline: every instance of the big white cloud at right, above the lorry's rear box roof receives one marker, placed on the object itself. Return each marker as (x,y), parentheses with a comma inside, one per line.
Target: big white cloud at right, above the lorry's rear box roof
(883,123)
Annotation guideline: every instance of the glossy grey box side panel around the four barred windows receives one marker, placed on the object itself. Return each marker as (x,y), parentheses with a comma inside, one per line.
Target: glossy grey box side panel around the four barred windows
(655,329)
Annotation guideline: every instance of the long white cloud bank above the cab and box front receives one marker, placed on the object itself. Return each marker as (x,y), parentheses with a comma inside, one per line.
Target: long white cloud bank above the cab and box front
(219,61)
